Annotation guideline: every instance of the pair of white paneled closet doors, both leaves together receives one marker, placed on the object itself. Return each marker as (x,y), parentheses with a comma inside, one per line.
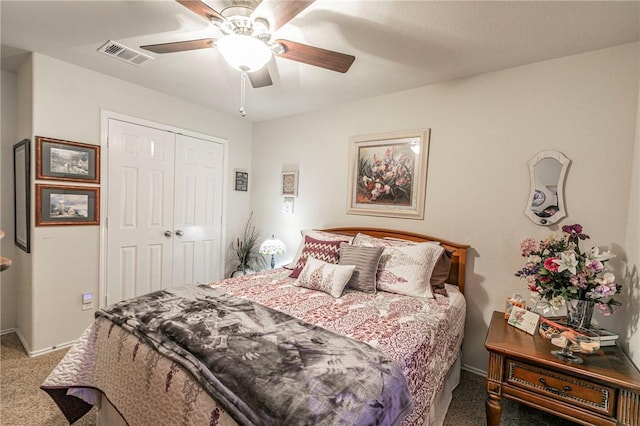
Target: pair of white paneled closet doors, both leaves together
(164,210)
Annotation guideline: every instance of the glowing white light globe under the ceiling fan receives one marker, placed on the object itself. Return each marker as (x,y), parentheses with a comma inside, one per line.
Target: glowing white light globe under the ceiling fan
(243,52)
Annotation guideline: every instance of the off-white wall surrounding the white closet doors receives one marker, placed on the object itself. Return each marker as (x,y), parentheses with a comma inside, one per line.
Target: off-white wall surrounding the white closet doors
(67,101)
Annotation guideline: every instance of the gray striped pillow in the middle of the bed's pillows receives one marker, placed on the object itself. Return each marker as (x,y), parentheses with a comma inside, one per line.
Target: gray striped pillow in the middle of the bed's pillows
(366,261)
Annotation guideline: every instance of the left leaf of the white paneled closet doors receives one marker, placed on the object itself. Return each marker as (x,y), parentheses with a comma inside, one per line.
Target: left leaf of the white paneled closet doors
(139,210)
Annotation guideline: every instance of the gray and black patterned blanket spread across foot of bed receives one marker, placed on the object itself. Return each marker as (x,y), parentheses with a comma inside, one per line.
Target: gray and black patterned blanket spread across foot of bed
(264,366)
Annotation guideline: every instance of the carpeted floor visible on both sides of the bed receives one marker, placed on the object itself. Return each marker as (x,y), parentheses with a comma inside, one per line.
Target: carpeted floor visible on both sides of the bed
(22,402)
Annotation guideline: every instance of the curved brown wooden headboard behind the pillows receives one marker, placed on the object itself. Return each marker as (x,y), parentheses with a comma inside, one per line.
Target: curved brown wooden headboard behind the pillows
(458,258)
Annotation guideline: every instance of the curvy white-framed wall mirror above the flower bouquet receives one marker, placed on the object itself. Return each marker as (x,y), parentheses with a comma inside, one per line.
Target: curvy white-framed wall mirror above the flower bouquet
(547,170)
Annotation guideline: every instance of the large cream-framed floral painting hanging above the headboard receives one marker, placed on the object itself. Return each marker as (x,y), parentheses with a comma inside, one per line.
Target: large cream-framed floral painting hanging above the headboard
(388,174)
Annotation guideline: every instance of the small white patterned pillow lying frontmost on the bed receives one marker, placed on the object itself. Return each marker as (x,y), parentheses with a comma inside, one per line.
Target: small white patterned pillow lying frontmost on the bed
(326,277)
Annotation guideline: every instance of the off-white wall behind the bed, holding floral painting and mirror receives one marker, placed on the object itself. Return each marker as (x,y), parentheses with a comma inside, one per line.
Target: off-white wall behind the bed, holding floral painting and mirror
(484,130)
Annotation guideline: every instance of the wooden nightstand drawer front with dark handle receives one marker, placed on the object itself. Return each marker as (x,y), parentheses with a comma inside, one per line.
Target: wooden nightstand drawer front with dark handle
(562,387)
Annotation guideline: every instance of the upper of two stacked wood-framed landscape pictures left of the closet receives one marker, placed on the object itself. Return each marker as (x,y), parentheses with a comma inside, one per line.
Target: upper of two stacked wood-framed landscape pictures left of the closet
(68,161)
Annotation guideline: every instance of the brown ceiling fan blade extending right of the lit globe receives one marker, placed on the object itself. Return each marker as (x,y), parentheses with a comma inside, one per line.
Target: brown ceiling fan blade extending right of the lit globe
(316,56)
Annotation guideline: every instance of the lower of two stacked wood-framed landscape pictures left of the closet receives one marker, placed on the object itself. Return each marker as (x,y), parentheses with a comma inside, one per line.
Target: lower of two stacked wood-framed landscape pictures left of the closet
(67,205)
